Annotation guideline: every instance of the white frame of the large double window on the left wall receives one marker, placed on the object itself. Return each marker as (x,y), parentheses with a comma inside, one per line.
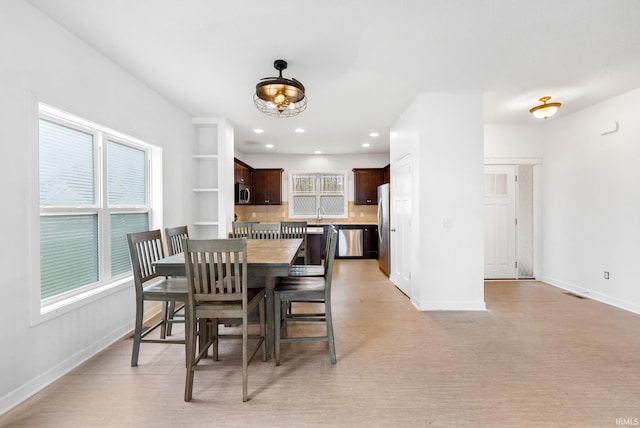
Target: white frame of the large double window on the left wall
(45,309)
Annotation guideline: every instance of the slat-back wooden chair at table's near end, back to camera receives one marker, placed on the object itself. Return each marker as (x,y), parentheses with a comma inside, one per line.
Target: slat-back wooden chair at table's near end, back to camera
(217,277)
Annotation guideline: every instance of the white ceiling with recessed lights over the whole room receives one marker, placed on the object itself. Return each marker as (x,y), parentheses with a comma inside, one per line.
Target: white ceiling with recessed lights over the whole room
(363,61)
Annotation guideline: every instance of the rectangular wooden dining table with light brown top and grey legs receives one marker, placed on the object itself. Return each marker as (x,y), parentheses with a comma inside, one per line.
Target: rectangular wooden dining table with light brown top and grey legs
(266,258)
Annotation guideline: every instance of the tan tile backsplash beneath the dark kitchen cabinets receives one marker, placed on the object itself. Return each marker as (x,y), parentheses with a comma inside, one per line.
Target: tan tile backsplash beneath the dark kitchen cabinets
(276,213)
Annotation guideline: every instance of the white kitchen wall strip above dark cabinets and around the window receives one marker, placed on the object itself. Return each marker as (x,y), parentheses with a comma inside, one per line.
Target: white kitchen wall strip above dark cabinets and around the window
(315,163)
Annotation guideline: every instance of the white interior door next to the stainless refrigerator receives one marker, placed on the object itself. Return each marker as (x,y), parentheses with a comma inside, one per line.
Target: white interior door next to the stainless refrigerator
(400,225)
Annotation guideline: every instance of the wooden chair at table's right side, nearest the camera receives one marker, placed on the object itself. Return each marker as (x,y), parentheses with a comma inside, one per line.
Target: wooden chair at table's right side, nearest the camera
(306,289)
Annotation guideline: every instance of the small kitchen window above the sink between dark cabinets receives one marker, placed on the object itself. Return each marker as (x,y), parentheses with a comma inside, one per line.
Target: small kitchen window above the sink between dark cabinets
(318,195)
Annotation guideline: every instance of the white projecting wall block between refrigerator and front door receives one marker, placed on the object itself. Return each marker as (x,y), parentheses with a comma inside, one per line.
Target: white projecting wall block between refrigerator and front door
(444,135)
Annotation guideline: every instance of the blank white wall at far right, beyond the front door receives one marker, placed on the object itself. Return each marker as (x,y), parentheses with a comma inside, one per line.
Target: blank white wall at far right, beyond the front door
(591,212)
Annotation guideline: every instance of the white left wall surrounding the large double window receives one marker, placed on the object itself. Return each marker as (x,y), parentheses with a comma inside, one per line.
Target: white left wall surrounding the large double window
(39,59)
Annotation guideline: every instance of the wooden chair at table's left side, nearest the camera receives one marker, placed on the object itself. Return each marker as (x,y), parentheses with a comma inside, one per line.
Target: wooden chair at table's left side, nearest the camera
(144,249)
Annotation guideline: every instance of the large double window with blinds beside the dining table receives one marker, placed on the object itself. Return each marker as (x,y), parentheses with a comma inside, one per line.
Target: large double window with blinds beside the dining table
(94,188)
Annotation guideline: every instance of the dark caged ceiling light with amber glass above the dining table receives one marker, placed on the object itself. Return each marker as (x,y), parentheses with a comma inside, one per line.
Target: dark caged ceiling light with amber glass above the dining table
(279,96)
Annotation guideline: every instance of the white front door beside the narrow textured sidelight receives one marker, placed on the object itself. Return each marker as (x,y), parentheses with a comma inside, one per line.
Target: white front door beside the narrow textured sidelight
(500,222)
